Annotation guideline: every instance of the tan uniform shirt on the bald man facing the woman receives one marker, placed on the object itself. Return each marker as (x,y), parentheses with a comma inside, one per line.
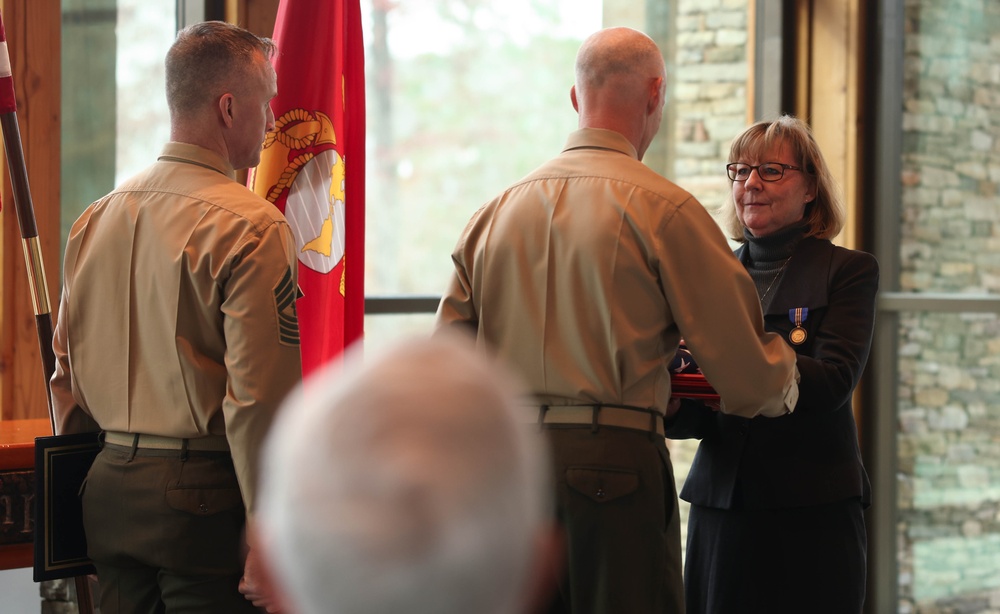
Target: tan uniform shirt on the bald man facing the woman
(585,275)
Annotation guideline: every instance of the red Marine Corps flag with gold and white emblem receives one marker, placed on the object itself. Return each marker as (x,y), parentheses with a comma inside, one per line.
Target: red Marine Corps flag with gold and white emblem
(312,166)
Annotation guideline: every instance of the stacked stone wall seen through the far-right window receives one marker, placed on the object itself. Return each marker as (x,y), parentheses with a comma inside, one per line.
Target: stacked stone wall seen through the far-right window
(949,388)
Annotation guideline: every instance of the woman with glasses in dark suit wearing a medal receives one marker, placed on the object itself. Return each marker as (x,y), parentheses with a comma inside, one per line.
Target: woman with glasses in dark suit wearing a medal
(776,522)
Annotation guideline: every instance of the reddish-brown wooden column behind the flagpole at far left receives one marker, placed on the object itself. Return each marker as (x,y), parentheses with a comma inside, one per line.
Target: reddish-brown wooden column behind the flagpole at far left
(32,29)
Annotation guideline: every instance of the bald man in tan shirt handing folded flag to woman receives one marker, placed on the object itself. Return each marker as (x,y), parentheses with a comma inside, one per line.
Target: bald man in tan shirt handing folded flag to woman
(583,277)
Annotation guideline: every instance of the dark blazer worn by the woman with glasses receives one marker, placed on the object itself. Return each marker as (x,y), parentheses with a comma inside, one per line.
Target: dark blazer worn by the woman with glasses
(811,456)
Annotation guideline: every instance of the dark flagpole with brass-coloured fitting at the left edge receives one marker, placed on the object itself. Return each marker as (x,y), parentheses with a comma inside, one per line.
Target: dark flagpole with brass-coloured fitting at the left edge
(32,254)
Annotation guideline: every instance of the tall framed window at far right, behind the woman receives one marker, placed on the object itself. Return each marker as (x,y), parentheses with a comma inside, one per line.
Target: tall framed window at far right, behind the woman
(935,449)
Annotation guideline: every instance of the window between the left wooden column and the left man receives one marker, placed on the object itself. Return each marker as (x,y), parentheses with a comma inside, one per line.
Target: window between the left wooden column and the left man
(114,108)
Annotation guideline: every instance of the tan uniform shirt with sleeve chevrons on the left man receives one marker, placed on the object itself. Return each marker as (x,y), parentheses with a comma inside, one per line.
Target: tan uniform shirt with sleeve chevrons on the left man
(177,315)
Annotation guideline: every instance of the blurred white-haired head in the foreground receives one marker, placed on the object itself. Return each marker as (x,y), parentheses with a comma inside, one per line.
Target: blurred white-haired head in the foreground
(408,482)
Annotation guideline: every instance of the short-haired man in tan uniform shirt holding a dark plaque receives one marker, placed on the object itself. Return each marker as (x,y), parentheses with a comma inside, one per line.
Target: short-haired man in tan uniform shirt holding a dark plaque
(177,337)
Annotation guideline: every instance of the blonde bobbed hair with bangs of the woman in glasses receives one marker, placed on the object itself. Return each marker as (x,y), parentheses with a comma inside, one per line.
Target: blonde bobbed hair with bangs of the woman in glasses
(824,215)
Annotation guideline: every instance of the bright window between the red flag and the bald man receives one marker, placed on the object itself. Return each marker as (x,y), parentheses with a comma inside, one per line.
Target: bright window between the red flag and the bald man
(463,98)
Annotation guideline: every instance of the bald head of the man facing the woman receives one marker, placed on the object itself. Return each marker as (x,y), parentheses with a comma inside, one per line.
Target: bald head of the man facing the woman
(620,84)
